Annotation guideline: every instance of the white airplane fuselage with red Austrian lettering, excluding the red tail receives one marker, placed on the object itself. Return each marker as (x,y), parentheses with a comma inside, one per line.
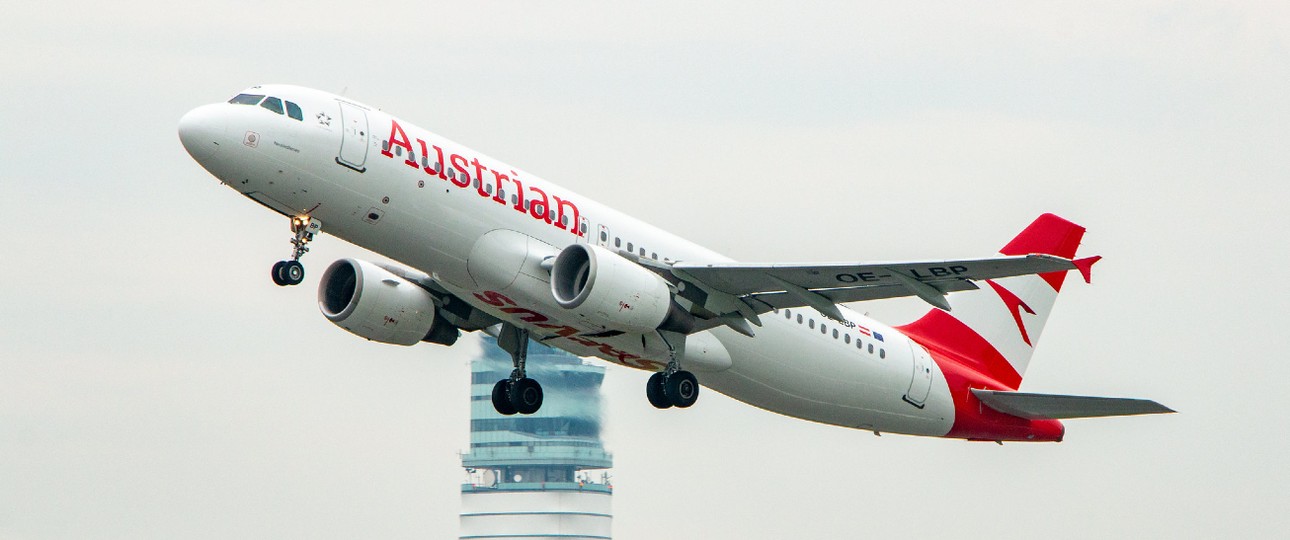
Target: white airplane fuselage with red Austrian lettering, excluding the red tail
(346,166)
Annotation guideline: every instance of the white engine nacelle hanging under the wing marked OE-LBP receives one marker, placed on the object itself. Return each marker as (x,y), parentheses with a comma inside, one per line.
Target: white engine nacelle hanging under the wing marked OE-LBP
(604,289)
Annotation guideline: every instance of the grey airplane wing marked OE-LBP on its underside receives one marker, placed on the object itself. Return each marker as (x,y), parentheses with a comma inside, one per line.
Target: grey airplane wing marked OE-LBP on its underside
(733,293)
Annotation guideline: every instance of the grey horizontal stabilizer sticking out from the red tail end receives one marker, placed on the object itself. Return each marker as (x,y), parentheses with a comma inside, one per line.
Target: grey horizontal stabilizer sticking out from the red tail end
(1053,407)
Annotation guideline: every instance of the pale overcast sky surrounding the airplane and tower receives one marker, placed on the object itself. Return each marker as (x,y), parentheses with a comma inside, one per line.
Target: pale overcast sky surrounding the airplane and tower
(154,383)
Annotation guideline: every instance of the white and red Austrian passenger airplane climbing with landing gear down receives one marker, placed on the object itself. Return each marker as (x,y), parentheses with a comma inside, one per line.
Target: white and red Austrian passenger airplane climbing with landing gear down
(486,247)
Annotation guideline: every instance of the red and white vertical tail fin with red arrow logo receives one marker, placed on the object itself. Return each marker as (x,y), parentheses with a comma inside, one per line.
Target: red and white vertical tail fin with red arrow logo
(994,331)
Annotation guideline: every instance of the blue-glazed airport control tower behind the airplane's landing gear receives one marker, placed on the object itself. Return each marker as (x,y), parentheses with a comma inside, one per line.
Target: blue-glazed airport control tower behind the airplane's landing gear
(541,476)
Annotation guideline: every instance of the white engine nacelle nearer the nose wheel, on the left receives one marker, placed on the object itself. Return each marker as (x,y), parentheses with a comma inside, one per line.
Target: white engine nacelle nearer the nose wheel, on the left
(373,304)
